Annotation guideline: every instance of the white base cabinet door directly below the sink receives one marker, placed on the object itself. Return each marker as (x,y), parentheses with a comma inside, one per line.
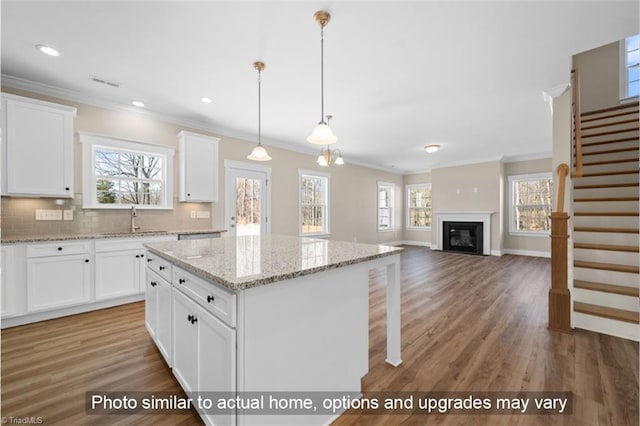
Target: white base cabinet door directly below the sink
(117,274)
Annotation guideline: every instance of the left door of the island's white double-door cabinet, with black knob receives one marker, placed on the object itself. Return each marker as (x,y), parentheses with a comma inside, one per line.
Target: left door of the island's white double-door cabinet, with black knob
(185,342)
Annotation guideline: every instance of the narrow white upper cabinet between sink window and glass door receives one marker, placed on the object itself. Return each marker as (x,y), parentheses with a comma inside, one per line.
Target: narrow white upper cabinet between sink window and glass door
(198,167)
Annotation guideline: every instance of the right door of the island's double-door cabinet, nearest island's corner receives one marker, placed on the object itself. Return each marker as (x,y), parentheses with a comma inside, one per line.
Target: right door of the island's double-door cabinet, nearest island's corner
(216,360)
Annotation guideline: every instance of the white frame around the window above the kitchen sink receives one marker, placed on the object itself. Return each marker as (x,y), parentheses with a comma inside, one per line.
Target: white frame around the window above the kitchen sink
(91,143)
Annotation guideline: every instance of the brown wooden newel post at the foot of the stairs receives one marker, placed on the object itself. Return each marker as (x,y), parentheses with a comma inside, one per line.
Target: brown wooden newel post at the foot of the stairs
(559,297)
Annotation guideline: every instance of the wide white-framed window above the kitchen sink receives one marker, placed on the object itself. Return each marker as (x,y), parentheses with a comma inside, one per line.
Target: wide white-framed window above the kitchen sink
(119,174)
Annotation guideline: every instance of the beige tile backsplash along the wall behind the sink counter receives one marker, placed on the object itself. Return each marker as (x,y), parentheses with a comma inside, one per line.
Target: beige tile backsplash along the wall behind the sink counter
(19,218)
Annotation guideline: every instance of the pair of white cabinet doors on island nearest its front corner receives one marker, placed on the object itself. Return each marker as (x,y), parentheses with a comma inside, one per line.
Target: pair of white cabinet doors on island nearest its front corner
(204,352)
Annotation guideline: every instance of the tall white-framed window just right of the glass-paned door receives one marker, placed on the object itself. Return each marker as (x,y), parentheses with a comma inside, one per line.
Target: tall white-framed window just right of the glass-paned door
(314,203)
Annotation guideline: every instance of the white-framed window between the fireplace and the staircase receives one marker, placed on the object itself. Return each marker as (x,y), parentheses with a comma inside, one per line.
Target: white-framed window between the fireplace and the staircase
(530,204)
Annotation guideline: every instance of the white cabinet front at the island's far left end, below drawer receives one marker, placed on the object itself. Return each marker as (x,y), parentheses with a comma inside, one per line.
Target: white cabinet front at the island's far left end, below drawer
(158,313)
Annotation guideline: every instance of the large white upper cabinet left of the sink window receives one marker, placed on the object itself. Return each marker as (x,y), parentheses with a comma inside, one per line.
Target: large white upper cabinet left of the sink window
(37,148)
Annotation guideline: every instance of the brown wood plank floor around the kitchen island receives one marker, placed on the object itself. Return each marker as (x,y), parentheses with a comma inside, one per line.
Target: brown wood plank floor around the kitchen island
(469,324)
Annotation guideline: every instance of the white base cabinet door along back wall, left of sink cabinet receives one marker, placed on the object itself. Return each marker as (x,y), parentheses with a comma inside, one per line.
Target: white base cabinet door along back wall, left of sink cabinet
(58,281)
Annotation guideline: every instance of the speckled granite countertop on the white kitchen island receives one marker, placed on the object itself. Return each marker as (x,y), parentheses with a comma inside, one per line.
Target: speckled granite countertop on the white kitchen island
(238,263)
